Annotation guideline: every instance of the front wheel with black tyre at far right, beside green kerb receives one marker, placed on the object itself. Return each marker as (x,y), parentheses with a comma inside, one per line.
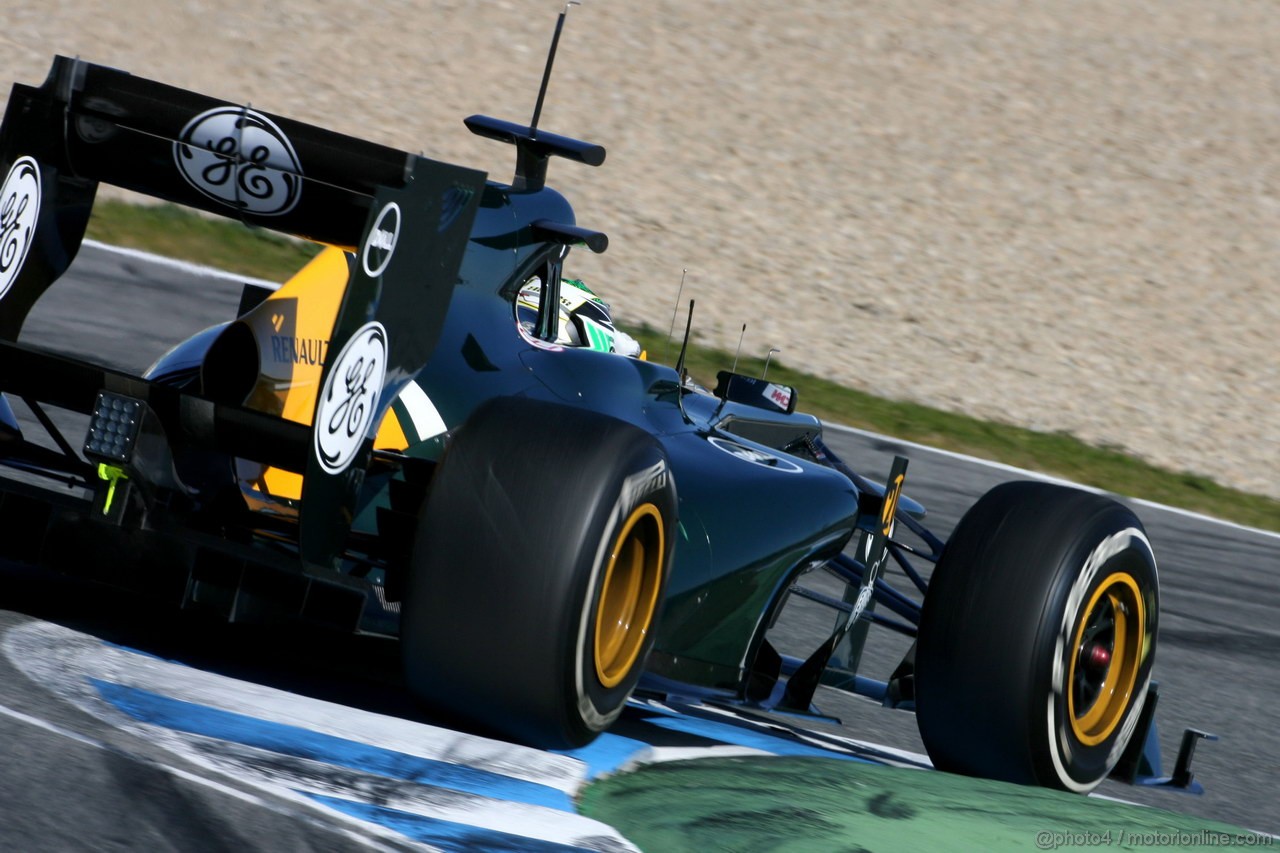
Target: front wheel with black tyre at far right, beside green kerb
(1037,638)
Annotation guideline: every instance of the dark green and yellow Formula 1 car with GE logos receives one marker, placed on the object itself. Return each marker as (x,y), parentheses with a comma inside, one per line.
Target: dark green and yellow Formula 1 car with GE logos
(395,443)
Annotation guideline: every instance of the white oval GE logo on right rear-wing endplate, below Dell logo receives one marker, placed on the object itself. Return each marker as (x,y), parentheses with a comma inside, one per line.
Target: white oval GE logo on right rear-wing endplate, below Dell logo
(350,398)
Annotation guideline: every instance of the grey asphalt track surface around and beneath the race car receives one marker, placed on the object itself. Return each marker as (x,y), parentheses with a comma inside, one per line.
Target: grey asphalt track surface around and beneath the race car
(75,782)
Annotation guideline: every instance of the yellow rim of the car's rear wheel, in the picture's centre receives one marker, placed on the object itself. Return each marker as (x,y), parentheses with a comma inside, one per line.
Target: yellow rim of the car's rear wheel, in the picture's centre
(629,596)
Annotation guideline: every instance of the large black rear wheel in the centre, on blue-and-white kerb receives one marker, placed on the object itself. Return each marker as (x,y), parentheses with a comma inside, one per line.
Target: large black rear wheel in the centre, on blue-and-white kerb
(538,572)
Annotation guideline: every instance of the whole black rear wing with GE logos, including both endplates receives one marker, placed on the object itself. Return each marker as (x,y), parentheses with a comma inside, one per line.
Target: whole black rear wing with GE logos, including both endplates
(408,218)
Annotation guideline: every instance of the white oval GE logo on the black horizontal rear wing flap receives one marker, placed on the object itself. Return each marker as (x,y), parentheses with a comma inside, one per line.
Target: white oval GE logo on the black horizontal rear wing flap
(243,159)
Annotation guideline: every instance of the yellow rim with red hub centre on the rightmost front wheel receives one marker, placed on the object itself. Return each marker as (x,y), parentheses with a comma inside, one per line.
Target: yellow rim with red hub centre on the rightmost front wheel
(1105,659)
